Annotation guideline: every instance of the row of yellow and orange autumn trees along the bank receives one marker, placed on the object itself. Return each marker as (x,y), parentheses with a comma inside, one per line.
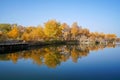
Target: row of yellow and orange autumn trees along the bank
(51,30)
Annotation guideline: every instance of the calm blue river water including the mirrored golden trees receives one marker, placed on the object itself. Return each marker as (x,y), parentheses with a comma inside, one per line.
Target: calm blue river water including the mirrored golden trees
(66,62)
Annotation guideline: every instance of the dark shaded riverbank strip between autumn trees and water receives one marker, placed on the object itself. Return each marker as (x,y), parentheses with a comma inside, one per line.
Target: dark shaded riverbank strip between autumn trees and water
(7,47)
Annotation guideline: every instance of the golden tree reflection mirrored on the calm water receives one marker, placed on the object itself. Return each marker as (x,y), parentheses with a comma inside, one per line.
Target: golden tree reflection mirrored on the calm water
(53,56)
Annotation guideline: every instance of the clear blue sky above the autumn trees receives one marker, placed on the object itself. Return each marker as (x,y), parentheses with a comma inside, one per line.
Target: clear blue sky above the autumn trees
(96,15)
